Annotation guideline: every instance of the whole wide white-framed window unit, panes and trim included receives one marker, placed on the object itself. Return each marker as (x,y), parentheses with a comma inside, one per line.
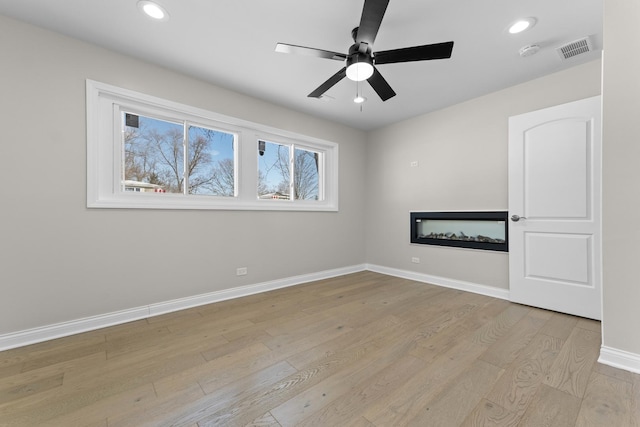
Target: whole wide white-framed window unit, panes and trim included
(146,152)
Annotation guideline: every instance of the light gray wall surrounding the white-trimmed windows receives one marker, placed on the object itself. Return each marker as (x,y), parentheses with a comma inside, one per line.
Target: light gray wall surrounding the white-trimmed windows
(61,261)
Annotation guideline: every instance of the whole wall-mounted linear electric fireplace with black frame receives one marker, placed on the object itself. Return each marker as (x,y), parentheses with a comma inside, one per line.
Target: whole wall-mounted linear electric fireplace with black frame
(486,230)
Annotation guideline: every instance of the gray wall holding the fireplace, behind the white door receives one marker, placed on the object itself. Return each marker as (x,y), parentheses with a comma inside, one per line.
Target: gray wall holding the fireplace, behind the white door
(462,157)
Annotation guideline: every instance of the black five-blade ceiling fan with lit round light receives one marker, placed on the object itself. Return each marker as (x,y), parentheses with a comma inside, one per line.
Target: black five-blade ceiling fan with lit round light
(361,60)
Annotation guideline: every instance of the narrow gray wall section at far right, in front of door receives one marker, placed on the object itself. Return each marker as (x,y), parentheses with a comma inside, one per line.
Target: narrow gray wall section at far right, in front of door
(621,176)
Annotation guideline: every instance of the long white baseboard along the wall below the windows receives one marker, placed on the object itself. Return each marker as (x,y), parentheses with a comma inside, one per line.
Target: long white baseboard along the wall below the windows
(58,330)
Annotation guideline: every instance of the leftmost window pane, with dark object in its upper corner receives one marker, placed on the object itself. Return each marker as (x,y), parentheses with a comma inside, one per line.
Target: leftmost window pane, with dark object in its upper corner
(153,155)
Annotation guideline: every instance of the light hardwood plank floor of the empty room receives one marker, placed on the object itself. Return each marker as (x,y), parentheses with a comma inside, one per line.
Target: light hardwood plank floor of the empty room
(358,350)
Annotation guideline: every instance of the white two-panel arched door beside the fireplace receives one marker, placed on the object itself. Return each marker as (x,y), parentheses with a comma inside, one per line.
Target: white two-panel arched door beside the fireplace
(554,208)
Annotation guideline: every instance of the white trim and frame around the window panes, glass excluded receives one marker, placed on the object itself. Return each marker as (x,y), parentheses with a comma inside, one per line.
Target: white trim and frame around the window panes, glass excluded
(104,103)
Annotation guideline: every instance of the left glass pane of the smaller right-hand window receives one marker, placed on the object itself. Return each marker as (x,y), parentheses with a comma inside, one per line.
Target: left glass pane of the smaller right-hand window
(274,175)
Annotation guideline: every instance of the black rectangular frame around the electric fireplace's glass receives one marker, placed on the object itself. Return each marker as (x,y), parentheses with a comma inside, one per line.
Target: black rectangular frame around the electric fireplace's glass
(466,215)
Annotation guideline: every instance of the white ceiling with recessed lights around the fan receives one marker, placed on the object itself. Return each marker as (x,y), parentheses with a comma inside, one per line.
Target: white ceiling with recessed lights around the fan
(231,43)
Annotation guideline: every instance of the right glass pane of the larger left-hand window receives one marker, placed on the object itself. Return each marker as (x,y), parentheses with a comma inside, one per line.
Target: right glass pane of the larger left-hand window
(212,168)
